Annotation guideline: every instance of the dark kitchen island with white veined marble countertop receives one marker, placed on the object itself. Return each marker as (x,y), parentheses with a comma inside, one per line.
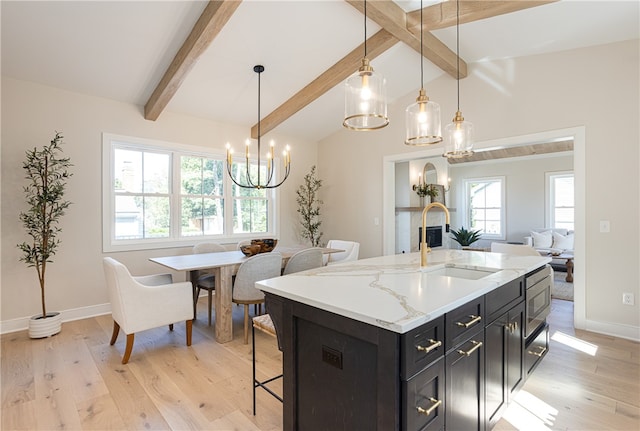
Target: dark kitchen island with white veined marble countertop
(383,344)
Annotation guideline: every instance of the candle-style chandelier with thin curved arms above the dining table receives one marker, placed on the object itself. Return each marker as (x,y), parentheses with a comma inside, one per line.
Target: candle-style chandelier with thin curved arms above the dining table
(249,182)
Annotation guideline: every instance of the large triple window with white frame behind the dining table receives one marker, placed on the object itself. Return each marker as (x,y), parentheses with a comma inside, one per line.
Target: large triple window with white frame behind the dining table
(158,195)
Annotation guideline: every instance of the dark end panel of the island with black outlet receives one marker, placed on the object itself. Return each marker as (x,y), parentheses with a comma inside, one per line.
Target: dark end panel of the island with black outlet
(339,374)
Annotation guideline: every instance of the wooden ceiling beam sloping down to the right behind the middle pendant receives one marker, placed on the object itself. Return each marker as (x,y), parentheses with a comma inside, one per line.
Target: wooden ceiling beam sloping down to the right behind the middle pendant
(393,18)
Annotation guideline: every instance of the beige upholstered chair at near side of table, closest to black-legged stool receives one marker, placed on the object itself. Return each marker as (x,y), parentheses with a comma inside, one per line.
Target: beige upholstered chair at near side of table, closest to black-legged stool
(259,267)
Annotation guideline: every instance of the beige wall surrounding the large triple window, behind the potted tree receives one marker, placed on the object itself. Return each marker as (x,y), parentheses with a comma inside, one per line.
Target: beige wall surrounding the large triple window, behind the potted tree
(30,116)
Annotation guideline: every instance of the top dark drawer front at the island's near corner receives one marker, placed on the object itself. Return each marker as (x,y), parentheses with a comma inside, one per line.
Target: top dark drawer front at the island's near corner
(421,346)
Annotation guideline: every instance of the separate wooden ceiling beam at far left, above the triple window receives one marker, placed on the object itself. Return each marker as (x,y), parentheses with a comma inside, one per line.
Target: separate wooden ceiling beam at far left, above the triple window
(214,17)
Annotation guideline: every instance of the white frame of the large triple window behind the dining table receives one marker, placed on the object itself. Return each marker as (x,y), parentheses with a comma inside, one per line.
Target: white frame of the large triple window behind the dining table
(110,244)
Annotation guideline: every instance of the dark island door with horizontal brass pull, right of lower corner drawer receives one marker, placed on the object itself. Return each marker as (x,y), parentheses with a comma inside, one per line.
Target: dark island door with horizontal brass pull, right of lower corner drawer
(464,370)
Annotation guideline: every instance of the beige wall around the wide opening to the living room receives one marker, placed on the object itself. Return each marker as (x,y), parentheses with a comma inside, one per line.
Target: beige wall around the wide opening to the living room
(594,88)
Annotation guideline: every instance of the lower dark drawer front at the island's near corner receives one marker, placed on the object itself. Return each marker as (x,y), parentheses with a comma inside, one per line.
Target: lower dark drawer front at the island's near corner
(423,399)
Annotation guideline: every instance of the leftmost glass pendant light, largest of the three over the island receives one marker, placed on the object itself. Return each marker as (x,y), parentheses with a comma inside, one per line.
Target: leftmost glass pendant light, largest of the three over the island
(365,102)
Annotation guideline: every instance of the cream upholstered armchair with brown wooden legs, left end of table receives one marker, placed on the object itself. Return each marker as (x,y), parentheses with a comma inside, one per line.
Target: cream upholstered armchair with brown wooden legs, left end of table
(141,303)
